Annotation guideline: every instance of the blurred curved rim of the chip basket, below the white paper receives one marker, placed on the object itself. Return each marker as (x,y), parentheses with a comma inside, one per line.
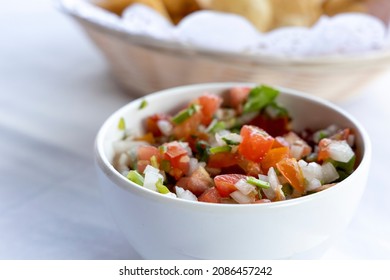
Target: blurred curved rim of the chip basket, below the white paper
(177,49)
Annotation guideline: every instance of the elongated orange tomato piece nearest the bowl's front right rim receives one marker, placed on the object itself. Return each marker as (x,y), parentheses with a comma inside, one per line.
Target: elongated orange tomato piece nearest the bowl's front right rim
(290,170)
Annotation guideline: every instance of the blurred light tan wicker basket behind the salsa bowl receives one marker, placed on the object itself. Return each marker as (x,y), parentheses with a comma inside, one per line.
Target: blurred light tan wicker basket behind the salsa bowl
(143,65)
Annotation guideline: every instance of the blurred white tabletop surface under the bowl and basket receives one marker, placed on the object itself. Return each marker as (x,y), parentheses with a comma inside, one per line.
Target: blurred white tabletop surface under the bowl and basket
(55,92)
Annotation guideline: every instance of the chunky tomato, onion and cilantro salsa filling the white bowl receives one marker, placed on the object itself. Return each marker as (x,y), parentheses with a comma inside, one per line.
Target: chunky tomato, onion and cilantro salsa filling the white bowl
(238,149)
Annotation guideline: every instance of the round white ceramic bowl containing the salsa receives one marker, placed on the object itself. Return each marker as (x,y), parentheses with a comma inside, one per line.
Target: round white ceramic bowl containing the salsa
(160,227)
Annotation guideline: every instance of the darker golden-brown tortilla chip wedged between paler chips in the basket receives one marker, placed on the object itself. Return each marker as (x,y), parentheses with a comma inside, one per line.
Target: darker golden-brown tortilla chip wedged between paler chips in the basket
(178,9)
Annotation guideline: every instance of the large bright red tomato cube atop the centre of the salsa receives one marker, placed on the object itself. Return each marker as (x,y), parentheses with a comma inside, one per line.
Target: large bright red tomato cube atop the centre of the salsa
(255,143)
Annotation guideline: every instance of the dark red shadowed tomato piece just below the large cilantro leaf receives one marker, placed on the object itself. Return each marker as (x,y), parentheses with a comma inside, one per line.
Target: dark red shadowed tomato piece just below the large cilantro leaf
(274,126)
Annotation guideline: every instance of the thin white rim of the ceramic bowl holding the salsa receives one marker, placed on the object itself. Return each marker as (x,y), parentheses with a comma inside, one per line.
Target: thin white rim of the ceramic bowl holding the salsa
(119,180)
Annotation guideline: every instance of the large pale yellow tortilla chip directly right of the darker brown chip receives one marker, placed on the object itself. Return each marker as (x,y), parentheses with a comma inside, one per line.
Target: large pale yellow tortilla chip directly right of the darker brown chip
(259,12)
